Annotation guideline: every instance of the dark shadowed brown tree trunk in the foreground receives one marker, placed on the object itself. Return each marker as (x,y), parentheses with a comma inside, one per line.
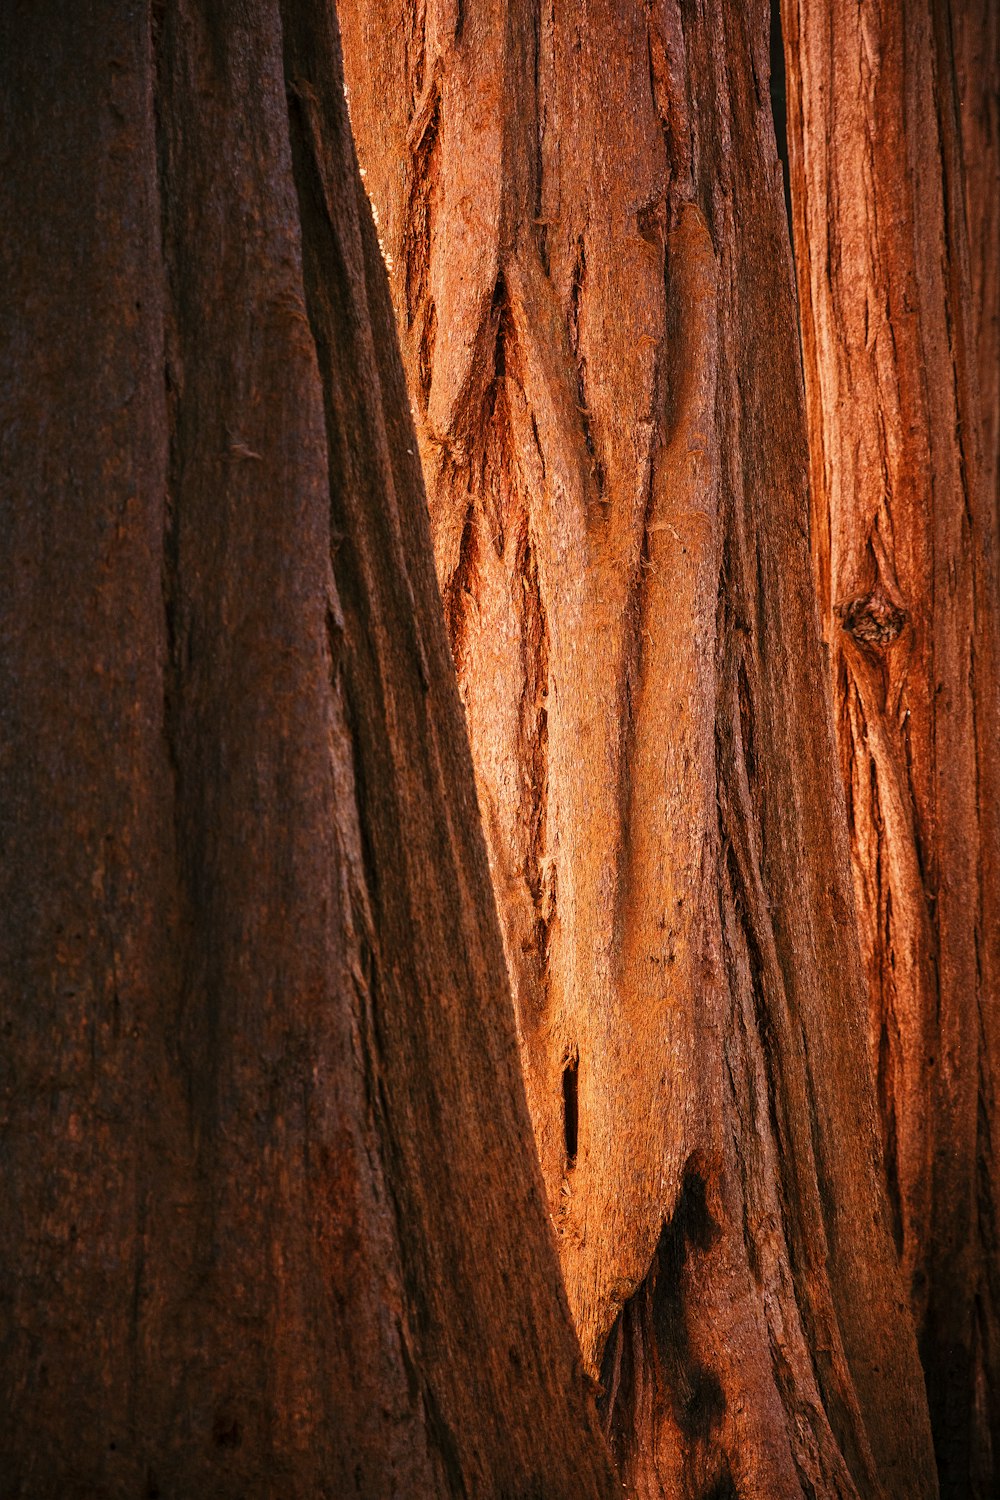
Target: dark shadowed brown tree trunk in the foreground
(272,1219)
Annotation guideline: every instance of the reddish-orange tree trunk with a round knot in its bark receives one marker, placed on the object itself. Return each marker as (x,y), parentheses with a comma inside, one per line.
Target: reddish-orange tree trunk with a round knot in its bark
(893,118)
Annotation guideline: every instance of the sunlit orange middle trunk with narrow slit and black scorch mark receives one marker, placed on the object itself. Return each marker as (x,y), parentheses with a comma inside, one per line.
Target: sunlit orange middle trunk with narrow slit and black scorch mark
(582,214)
